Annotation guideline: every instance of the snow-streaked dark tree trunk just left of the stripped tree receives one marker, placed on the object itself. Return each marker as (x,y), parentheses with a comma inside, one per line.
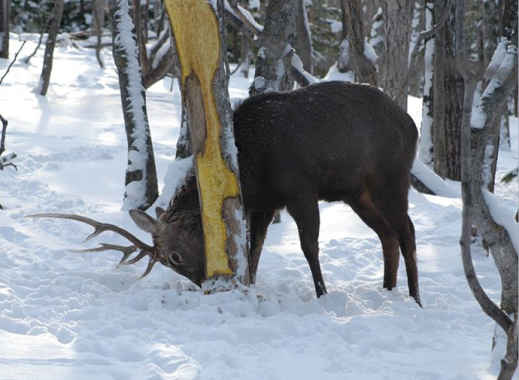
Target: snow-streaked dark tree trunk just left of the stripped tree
(141,176)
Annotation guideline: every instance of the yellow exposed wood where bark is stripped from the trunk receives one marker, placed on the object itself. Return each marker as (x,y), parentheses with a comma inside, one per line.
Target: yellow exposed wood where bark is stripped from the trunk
(197,37)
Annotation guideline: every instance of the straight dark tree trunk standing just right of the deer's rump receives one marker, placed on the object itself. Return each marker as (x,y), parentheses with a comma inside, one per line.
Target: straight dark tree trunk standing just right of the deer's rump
(448,90)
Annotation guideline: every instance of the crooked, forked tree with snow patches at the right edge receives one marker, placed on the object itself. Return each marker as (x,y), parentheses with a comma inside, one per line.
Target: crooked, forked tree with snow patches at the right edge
(482,111)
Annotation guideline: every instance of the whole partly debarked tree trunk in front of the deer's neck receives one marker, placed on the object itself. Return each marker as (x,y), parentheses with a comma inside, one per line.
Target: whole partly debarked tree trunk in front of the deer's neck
(198,30)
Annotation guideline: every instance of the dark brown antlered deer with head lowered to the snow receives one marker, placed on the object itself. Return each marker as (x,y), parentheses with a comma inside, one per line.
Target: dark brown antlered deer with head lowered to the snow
(332,141)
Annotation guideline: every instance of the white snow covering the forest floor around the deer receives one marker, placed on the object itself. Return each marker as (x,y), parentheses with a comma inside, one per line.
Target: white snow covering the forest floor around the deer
(68,315)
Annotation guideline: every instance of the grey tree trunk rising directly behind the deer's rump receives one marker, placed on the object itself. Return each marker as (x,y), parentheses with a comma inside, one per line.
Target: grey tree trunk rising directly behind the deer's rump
(394,66)
